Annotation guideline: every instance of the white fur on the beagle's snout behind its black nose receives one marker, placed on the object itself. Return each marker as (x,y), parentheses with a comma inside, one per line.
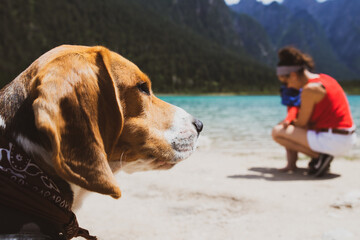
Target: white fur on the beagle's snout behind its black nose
(182,135)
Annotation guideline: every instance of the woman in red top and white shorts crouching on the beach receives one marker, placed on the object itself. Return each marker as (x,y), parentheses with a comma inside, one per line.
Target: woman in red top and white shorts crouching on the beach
(324,127)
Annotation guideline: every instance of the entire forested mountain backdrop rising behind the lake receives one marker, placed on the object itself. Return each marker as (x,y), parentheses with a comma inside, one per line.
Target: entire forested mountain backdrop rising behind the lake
(186,46)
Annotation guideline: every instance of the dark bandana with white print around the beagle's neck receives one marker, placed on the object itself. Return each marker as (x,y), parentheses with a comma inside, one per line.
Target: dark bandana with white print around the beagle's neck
(28,194)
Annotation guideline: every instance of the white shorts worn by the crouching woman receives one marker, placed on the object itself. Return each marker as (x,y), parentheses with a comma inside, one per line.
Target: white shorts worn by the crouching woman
(330,143)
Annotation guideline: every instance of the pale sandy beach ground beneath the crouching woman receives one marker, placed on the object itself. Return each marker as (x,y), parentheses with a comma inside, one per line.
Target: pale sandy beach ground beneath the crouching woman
(215,195)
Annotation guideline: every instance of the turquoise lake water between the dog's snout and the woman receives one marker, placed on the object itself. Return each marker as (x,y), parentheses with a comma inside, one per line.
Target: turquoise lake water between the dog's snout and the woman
(241,124)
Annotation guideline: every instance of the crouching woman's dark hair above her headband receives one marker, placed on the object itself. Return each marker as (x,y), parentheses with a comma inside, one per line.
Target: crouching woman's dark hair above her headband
(291,56)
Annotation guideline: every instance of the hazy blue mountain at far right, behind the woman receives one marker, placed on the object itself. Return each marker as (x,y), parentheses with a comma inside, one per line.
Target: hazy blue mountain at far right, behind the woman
(303,24)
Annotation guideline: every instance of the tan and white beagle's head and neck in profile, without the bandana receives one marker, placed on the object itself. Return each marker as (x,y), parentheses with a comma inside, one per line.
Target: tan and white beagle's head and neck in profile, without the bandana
(84,113)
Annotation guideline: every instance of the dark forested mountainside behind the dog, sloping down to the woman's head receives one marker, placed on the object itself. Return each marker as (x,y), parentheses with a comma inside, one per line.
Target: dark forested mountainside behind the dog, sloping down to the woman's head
(177,57)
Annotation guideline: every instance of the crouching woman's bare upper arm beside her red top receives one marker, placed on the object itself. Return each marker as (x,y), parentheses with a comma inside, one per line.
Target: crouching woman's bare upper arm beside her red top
(312,94)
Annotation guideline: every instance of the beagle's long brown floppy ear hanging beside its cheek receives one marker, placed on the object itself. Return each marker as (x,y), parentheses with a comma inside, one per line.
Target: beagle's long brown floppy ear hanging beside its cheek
(76,106)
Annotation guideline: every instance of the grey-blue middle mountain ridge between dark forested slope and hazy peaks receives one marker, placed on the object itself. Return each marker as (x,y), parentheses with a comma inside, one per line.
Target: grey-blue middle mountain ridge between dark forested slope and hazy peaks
(214,20)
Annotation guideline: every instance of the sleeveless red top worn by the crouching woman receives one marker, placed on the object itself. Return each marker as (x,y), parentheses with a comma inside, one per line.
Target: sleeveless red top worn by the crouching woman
(333,111)
